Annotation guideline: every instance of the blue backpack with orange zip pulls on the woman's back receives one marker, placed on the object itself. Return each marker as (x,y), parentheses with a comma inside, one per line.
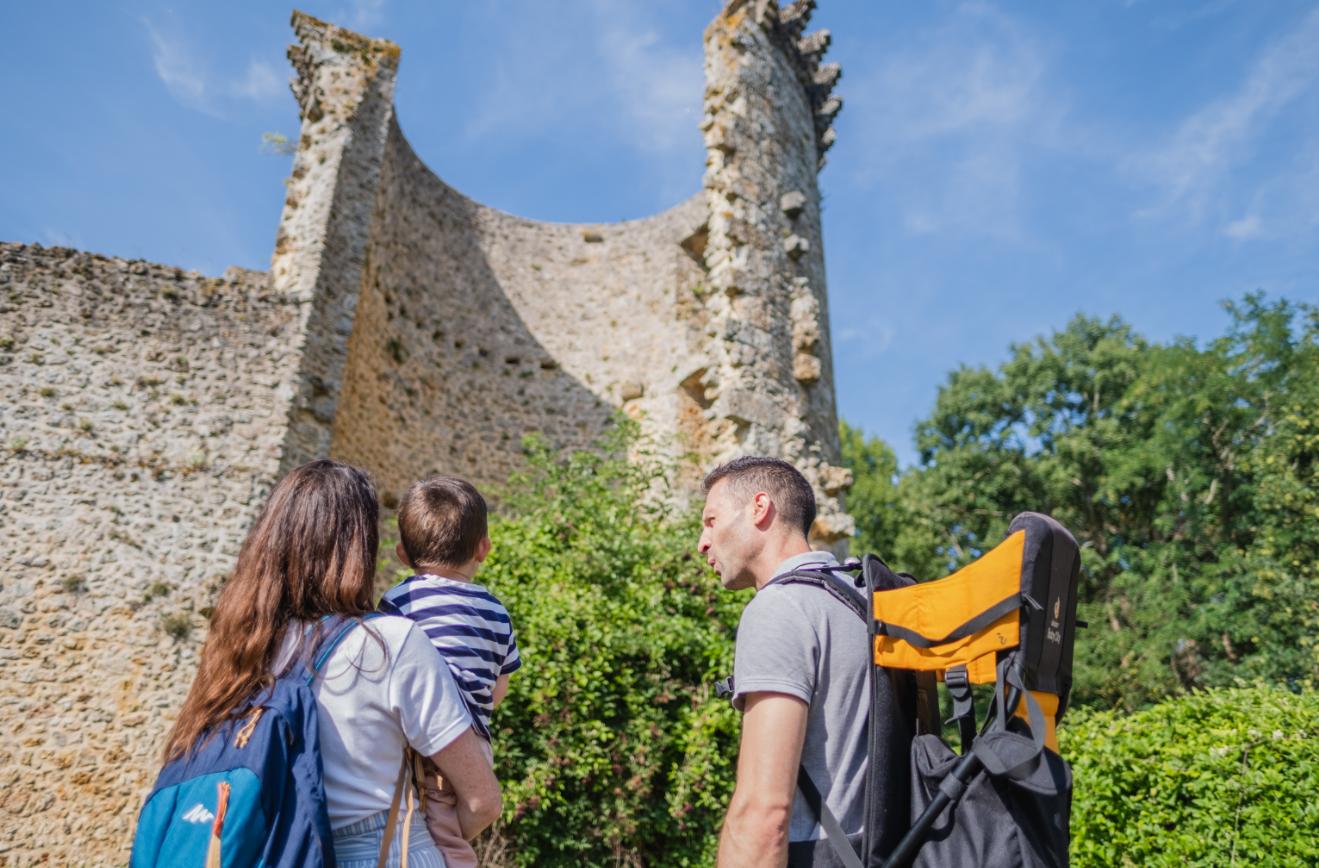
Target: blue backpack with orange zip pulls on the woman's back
(253,791)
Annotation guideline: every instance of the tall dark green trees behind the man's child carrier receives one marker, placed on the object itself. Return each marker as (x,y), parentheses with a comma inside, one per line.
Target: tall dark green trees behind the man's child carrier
(1189,476)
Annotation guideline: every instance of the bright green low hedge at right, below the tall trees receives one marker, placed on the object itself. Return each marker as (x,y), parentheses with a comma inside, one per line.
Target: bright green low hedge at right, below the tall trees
(1221,778)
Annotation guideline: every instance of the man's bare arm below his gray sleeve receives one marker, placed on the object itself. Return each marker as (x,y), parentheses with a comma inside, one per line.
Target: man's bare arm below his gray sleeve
(755,833)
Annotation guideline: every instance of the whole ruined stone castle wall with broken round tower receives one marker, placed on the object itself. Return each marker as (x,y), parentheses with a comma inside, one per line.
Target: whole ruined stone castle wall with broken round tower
(147,412)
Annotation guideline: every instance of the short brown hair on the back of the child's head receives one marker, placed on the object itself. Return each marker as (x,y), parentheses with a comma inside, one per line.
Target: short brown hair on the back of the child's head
(443,522)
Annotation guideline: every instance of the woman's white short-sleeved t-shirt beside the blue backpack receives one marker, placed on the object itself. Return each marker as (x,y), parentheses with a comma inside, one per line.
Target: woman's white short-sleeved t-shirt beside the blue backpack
(373,701)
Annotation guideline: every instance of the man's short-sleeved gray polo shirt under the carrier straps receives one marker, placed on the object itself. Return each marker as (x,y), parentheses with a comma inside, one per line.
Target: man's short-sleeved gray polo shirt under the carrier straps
(800,640)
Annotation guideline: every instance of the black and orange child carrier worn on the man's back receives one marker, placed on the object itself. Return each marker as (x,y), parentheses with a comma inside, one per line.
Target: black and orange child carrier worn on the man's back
(1008,619)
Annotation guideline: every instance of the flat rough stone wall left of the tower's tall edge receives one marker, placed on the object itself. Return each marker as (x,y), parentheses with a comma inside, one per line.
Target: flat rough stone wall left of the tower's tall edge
(143,416)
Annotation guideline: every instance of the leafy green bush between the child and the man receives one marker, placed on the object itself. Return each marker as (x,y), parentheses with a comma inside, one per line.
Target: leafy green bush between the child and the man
(610,746)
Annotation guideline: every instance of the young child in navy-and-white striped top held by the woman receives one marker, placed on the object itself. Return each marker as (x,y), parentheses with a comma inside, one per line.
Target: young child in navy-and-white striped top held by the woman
(444,531)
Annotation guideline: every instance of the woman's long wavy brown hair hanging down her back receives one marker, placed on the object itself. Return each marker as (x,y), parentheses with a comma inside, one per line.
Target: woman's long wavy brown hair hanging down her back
(311,553)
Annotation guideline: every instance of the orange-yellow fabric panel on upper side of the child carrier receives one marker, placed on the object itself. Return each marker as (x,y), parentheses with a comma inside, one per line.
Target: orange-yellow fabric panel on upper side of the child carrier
(937,609)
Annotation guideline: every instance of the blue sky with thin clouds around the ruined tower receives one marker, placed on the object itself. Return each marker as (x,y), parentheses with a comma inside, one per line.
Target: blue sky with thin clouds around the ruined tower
(1000,167)
